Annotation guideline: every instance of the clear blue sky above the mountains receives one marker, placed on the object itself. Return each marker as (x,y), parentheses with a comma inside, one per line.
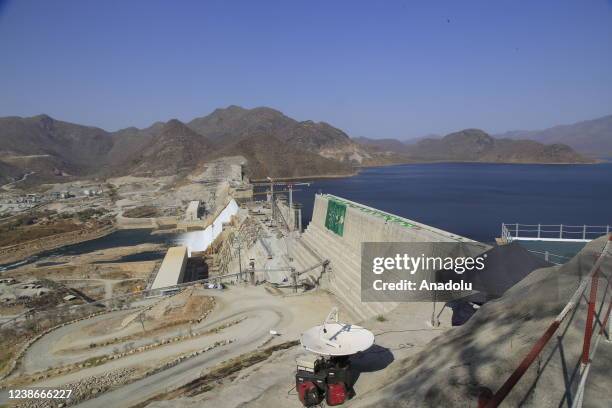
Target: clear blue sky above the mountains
(372,68)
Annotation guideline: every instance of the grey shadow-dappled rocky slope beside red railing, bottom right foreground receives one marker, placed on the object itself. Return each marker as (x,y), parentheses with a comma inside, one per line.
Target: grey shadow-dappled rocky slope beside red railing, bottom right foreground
(486,350)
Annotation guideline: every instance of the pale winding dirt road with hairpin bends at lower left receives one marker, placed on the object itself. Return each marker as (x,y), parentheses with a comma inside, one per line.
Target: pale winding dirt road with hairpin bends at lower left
(252,311)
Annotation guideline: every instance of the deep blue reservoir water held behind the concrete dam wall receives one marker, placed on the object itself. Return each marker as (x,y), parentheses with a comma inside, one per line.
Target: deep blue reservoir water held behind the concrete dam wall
(474,199)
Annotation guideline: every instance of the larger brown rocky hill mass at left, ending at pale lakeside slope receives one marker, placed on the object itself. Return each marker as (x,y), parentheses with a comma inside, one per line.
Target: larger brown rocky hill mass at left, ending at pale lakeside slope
(273,143)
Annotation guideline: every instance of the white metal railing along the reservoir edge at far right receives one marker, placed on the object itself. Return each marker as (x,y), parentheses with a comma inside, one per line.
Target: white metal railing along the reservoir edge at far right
(553,232)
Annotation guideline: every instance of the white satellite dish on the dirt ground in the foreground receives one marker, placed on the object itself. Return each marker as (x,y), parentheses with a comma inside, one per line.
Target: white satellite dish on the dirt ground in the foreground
(336,339)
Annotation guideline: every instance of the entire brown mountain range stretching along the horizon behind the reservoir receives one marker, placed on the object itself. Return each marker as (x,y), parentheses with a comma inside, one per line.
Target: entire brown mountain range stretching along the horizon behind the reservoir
(272,143)
